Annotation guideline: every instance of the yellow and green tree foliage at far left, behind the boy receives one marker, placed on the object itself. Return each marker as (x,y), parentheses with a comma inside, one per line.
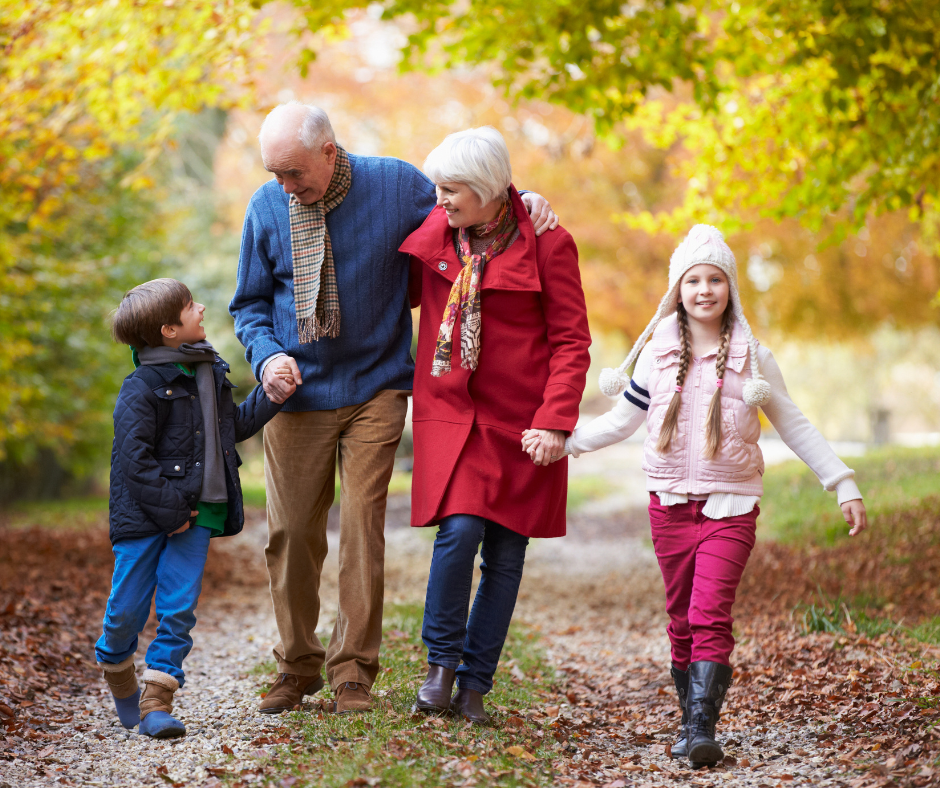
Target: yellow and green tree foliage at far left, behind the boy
(91,96)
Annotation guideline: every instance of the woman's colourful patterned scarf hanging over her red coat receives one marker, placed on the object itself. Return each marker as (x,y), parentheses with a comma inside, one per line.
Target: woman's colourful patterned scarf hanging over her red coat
(465,294)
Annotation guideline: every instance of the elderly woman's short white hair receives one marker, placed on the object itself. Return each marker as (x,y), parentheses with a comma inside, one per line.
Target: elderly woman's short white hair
(477,157)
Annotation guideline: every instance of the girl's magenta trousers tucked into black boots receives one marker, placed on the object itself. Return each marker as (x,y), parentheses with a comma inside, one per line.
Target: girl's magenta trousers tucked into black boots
(702,561)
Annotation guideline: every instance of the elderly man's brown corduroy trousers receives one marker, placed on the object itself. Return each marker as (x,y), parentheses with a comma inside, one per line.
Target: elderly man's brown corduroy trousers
(300,452)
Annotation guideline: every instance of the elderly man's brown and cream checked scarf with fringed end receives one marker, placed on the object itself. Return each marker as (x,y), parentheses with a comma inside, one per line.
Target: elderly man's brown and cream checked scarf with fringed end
(316,294)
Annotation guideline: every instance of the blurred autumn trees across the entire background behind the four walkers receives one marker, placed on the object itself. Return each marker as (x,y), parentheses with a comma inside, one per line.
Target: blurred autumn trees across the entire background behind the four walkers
(806,131)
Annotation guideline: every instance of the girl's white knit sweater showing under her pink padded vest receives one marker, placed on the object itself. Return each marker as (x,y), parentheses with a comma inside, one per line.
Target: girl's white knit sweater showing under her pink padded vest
(793,427)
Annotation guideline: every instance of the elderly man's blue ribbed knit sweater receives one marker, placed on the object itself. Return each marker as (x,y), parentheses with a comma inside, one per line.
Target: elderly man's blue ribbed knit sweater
(387,201)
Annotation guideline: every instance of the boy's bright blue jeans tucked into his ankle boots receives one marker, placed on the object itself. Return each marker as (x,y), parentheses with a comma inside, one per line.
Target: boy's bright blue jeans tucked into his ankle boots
(171,565)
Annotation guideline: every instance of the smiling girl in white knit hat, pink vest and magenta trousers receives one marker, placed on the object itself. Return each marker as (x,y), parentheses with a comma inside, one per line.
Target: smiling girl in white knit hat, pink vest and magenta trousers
(698,383)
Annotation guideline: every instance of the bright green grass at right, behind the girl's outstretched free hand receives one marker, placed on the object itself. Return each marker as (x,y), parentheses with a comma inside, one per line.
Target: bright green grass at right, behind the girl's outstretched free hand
(796,509)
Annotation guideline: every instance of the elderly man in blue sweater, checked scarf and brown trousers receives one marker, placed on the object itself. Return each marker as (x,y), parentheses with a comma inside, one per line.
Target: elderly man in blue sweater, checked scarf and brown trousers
(321,283)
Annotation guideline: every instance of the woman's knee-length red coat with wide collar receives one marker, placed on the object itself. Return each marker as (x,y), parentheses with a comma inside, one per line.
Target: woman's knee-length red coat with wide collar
(533,362)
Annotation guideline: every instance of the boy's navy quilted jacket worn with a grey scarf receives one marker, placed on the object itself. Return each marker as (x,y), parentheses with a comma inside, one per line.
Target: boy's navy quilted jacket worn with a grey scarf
(159,449)
